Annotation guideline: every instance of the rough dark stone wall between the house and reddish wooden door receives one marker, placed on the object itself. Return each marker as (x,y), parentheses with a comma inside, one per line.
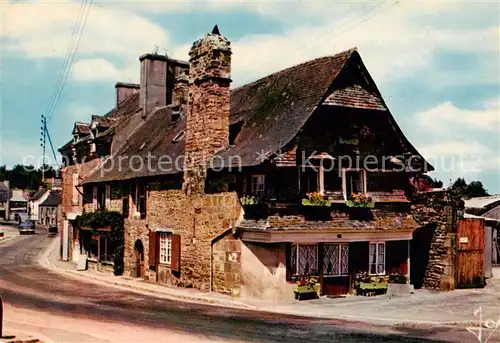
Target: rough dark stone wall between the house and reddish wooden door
(436,208)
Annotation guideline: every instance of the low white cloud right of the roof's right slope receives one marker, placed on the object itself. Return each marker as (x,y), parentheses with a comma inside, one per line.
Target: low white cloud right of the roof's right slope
(459,142)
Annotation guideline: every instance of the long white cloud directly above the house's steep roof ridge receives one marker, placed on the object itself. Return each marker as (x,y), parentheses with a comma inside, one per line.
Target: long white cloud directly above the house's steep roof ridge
(395,41)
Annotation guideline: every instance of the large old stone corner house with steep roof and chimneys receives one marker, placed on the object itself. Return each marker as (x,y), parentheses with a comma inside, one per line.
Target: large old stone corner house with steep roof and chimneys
(213,183)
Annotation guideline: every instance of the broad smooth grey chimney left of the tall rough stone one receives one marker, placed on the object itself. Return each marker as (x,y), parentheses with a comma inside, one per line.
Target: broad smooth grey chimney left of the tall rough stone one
(153,88)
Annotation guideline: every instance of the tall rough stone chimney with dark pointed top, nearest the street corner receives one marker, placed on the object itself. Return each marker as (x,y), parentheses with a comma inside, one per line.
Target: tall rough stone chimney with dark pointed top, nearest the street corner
(207,127)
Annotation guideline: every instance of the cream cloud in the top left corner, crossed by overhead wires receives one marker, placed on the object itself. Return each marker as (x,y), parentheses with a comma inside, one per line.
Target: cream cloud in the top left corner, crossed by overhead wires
(44,29)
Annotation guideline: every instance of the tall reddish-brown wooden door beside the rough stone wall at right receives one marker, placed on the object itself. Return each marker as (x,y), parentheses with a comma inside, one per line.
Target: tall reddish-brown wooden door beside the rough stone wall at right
(470,254)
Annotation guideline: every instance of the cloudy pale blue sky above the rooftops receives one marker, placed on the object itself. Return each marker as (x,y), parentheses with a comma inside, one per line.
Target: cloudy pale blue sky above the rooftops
(436,63)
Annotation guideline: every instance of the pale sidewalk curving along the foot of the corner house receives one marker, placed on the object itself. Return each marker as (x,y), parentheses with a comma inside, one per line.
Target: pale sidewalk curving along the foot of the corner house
(423,308)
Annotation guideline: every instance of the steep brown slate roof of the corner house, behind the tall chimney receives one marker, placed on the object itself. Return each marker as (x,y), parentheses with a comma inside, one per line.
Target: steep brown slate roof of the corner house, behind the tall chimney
(273,110)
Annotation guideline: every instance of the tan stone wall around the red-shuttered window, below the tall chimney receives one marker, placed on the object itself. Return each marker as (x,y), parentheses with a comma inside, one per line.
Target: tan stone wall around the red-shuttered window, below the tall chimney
(199,220)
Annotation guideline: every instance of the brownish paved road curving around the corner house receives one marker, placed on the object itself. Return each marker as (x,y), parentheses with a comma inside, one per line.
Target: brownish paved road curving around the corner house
(30,290)
